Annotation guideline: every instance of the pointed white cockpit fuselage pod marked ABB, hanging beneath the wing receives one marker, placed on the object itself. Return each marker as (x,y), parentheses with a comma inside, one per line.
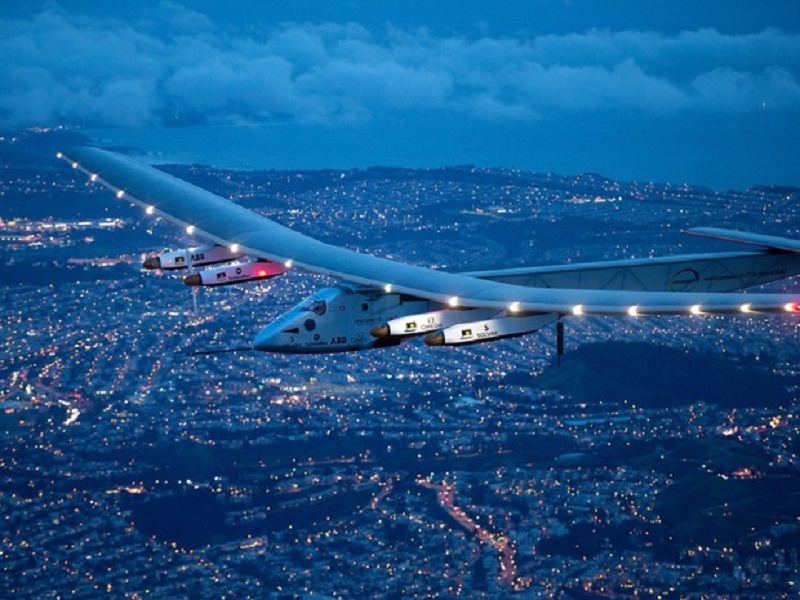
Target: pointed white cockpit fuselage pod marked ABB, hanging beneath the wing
(337,319)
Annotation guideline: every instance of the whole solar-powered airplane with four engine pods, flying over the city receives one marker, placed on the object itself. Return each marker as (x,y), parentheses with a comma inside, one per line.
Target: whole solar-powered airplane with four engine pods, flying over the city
(383,302)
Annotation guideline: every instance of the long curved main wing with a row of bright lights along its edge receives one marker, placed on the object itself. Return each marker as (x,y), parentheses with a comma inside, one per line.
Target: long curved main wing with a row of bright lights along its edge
(225,222)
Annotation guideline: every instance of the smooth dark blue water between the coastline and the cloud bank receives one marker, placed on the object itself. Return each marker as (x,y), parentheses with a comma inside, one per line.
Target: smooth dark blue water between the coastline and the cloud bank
(720,154)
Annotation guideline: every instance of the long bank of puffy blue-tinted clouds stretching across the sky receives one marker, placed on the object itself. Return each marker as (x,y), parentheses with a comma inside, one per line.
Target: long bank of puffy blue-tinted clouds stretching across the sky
(175,66)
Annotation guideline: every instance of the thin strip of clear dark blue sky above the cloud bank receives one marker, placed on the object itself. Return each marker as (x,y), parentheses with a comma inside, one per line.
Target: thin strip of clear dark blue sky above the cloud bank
(470,18)
